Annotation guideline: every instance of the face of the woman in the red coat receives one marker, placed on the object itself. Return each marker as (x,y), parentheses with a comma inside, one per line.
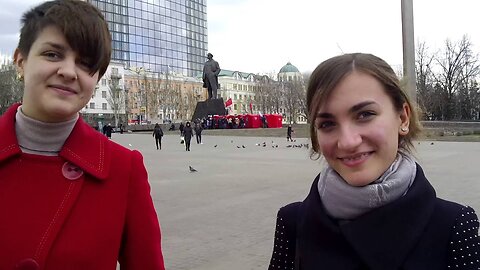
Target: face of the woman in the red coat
(58,83)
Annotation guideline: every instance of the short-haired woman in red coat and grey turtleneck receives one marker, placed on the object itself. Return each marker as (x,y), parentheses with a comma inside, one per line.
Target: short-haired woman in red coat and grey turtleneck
(69,197)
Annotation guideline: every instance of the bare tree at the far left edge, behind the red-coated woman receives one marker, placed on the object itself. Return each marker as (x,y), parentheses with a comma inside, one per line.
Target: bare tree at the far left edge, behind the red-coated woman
(11,88)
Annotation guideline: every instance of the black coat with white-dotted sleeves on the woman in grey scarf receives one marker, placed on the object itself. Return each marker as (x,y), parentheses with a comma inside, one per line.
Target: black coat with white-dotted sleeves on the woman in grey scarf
(417,231)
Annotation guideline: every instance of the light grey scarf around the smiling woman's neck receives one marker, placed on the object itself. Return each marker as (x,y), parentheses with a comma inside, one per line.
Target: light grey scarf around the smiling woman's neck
(346,202)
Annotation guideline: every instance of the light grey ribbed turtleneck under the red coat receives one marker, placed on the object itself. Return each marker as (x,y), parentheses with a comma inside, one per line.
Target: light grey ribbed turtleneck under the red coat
(40,138)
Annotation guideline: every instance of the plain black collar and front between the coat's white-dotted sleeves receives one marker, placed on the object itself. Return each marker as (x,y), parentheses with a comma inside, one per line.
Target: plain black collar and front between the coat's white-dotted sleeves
(381,239)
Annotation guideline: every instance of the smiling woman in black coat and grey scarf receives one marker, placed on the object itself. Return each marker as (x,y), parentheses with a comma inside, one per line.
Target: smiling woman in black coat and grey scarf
(371,206)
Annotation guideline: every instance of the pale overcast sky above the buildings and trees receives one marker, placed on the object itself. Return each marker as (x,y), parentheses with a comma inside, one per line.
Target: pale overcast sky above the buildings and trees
(261,36)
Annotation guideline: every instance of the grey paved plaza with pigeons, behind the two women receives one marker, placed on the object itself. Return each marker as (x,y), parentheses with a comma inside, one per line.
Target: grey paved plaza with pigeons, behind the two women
(223,216)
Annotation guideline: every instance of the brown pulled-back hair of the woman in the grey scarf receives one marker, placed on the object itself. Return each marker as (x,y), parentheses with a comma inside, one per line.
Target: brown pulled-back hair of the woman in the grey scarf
(332,71)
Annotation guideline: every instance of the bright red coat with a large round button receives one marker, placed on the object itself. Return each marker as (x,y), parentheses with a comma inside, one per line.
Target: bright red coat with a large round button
(84,209)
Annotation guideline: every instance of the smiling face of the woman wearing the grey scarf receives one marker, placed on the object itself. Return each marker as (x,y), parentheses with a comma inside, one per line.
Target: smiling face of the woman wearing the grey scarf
(358,129)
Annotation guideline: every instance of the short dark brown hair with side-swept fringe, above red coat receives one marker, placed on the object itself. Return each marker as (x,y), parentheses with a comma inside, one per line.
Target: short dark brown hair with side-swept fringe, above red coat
(82,24)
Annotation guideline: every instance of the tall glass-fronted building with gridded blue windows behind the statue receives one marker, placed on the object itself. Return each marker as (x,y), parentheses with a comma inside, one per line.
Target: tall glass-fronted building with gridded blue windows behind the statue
(158,35)
